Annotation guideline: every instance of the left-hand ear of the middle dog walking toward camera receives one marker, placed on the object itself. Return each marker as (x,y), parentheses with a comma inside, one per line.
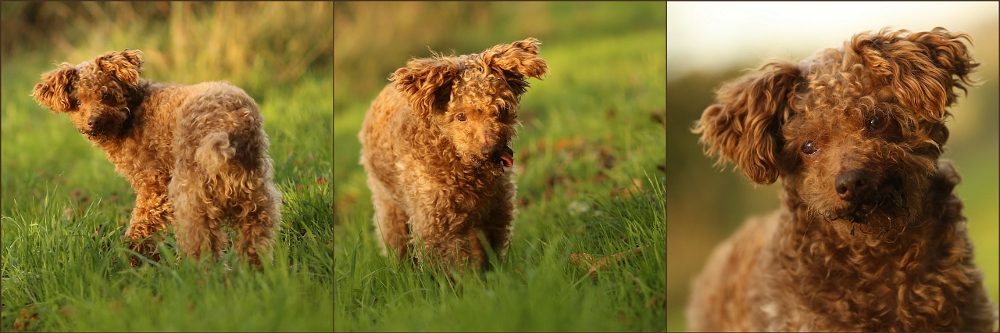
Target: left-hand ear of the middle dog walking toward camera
(426,84)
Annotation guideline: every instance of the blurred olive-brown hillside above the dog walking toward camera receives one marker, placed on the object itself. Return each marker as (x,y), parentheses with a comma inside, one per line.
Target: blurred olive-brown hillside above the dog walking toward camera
(368,48)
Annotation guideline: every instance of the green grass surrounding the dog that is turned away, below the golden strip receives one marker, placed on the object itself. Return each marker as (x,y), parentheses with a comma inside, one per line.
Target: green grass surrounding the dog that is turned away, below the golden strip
(64,210)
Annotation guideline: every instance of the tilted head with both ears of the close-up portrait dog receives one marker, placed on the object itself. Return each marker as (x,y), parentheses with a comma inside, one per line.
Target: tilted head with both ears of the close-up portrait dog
(855,132)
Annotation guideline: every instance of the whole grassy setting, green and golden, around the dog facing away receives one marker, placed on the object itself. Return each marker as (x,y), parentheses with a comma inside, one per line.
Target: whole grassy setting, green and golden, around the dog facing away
(64,208)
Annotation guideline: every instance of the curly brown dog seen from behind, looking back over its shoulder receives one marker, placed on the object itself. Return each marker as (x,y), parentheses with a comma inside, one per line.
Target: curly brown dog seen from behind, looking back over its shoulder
(195,155)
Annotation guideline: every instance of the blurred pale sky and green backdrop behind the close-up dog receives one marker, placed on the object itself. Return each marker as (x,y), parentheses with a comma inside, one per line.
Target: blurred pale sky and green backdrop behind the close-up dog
(706,203)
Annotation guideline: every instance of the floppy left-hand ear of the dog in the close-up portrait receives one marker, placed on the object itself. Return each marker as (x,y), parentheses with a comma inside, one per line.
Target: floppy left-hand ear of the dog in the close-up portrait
(744,126)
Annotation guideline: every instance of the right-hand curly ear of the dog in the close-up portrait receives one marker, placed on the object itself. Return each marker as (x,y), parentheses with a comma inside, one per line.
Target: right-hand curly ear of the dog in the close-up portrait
(919,69)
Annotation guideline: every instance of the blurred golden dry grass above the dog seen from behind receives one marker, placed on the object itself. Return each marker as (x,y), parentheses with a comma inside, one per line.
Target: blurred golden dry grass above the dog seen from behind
(256,45)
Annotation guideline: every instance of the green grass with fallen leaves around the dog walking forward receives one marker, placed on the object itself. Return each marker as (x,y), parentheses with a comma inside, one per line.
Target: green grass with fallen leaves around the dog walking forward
(588,182)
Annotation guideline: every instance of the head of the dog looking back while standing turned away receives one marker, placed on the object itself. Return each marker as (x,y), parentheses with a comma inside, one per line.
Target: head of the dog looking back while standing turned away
(95,93)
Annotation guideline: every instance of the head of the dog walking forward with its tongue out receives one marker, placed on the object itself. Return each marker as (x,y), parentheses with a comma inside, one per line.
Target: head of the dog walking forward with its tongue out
(473,99)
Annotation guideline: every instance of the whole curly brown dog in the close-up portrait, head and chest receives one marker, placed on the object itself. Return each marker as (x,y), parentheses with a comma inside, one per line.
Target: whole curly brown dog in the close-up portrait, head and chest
(855,135)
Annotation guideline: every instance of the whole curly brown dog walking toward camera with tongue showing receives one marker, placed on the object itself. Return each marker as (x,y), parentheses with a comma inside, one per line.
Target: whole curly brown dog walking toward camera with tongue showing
(436,147)
